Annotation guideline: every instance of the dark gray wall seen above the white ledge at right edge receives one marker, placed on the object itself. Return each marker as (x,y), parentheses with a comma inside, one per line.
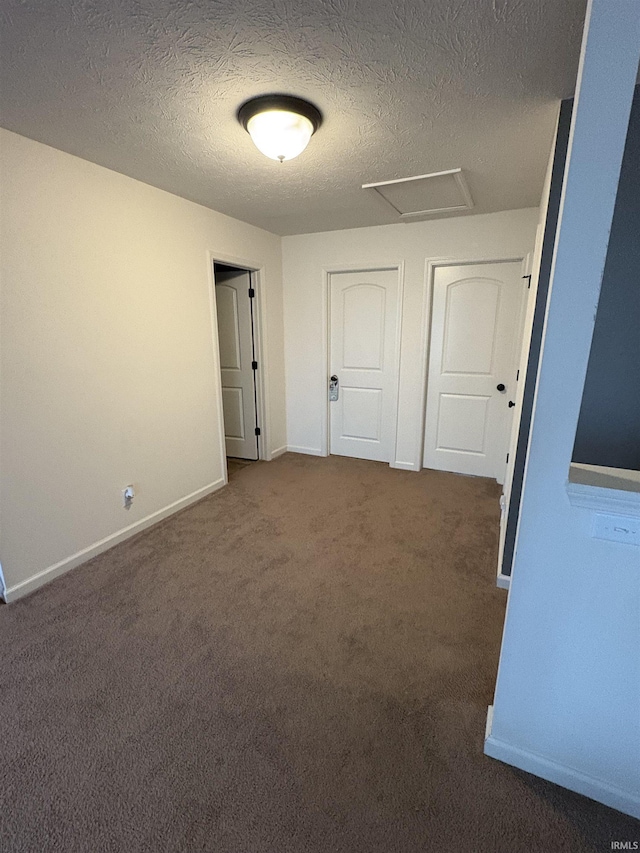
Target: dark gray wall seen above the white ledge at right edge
(608,430)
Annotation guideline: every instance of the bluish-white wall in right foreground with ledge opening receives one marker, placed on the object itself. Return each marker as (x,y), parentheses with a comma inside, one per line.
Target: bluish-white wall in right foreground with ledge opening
(567,702)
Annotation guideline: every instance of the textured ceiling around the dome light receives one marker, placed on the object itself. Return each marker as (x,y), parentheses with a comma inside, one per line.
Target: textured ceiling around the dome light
(150,88)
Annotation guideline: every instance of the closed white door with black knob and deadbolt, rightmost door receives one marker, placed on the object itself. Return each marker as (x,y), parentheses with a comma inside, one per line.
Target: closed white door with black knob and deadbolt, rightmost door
(476,329)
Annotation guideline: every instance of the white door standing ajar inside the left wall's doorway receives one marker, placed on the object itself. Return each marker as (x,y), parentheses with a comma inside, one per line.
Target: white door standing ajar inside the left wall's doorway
(236,356)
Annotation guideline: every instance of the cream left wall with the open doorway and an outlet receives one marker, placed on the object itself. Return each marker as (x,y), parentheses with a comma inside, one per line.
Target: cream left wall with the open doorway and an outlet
(108,368)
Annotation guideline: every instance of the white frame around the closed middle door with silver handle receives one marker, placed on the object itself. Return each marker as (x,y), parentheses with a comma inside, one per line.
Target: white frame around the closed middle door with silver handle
(327,272)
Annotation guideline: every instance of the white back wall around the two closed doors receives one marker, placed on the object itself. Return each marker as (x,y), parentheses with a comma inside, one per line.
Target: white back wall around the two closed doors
(493,236)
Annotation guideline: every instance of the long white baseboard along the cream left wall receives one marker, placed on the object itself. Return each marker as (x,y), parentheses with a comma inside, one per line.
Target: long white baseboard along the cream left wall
(13,593)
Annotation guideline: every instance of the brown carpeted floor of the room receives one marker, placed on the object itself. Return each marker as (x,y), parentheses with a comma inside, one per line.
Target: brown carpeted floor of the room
(299,663)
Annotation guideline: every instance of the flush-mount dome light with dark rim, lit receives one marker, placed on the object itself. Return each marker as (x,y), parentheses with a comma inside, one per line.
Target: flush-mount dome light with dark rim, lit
(280,125)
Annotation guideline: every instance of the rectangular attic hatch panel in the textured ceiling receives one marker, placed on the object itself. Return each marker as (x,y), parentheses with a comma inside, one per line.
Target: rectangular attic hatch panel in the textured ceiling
(423,195)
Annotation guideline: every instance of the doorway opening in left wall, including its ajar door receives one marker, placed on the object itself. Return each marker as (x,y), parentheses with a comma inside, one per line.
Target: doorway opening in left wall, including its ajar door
(235,290)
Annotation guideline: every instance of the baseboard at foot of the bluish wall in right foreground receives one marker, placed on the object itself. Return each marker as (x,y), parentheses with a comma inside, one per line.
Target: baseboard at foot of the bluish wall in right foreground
(567,777)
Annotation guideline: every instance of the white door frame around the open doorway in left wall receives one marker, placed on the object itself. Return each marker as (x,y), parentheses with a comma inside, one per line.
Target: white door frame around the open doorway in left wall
(256,270)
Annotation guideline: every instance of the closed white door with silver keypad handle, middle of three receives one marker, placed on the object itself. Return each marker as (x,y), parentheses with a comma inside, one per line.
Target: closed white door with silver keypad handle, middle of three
(363,356)
